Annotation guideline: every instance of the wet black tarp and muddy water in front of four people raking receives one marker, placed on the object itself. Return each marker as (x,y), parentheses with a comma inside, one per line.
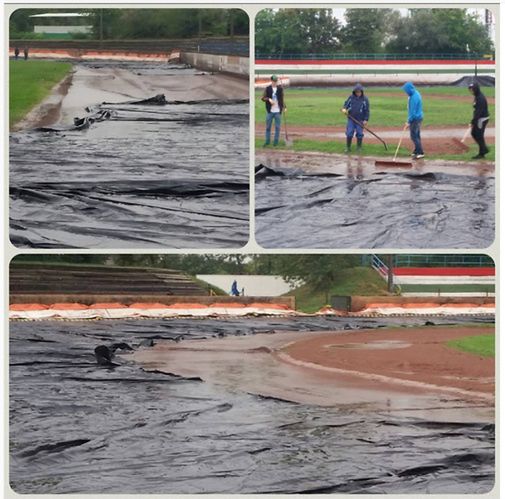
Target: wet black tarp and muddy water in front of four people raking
(306,201)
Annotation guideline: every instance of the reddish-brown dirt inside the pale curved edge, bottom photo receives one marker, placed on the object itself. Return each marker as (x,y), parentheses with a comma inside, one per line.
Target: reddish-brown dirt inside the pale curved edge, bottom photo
(414,354)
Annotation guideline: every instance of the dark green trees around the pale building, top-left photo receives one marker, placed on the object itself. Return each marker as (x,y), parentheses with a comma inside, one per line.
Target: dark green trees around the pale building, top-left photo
(117,24)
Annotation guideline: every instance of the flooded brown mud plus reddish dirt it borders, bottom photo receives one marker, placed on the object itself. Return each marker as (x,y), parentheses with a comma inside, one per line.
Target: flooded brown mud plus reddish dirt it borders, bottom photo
(423,376)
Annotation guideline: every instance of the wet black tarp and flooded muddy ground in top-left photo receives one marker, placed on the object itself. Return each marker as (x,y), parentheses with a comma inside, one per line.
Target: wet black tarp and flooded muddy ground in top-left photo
(173,175)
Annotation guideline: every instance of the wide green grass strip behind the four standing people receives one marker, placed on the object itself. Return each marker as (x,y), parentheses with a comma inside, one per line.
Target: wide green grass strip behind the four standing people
(388,106)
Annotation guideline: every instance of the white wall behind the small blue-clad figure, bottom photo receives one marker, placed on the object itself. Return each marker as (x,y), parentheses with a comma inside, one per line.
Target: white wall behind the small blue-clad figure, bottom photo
(254,285)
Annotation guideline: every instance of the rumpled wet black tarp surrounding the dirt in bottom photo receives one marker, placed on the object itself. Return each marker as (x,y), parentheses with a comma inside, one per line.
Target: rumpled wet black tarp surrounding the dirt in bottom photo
(76,427)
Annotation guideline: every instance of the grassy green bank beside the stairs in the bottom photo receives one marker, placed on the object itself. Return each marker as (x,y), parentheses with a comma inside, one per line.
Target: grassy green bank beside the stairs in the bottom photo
(354,281)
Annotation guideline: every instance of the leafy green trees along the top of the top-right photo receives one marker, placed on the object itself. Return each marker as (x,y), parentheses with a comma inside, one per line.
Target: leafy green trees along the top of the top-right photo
(286,32)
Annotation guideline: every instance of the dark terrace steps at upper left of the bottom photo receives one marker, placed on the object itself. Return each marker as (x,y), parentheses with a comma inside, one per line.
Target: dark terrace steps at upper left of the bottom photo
(75,279)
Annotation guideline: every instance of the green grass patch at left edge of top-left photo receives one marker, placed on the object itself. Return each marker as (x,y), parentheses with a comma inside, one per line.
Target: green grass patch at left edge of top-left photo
(30,82)
